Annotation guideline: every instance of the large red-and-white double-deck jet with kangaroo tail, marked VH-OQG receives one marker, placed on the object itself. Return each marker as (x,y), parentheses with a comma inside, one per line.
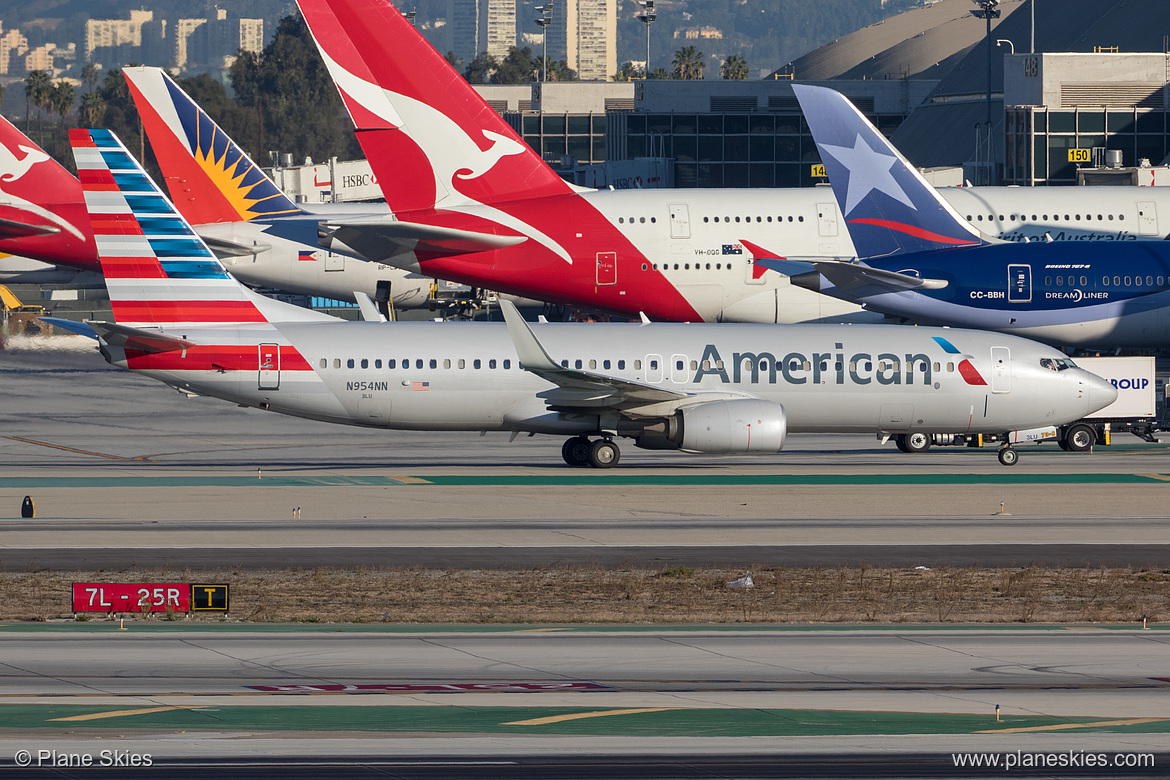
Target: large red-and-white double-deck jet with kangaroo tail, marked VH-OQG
(472,203)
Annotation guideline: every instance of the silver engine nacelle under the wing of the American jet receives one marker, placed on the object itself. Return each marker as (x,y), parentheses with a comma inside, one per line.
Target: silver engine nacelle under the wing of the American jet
(738,426)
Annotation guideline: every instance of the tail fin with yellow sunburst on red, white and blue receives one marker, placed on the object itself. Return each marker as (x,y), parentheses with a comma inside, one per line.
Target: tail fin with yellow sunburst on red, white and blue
(210,178)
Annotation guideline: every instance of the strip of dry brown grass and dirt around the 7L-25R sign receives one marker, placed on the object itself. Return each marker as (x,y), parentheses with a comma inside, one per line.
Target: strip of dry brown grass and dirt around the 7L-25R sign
(595,595)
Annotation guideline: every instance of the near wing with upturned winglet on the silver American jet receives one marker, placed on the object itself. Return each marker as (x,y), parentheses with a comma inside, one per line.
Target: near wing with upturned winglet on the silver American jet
(580,390)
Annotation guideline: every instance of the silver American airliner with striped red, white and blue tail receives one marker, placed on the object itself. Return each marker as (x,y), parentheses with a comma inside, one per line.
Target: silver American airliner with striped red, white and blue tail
(180,317)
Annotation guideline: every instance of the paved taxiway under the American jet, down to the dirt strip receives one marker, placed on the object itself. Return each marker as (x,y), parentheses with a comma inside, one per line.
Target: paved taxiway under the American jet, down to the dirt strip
(126,472)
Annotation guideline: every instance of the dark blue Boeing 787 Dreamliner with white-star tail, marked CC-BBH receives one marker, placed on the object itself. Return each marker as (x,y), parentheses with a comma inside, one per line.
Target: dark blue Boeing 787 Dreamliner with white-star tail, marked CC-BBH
(924,263)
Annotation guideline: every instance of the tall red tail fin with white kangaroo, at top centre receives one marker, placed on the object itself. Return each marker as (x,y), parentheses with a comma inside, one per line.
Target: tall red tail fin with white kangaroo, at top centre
(431,140)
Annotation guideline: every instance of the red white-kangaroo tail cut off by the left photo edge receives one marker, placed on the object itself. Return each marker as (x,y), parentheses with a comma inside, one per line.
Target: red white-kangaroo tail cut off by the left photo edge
(42,210)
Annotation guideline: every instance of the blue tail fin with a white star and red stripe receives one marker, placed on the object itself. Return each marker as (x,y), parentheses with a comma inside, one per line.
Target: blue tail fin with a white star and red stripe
(889,208)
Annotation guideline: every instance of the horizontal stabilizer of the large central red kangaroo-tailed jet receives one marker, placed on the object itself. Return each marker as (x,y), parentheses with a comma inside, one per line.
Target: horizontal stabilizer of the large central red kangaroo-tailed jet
(381,240)
